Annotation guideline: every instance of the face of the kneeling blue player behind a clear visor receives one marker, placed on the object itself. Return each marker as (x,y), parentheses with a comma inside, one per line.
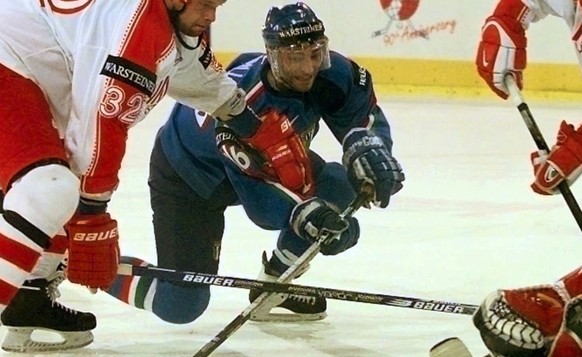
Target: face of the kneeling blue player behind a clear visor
(298,67)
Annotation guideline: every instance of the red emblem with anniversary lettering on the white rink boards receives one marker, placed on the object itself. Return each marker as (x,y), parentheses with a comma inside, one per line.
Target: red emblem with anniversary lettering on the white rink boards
(400,27)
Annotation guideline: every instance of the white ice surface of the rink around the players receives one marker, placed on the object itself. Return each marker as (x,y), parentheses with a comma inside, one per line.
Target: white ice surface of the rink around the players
(465,223)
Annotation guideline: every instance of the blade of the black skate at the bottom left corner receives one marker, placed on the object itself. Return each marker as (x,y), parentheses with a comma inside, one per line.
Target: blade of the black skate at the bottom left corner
(19,339)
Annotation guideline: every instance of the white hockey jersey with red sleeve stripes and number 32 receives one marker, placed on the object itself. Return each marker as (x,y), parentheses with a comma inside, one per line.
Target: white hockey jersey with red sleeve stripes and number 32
(103,64)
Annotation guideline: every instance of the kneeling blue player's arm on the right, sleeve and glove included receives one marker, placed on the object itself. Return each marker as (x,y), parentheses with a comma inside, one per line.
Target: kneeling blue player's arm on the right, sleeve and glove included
(356,120)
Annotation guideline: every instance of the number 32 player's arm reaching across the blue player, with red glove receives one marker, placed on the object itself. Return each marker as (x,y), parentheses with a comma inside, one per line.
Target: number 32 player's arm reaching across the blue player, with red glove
(269,132)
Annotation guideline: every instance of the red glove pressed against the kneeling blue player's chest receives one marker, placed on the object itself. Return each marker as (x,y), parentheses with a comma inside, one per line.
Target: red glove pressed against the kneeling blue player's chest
(284,151)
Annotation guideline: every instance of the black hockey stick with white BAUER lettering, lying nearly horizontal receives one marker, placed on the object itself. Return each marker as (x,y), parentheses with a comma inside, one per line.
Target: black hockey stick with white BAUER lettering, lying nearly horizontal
(334,294)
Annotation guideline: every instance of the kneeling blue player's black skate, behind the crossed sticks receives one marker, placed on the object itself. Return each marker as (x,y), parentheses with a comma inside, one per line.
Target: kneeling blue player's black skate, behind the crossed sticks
(294,307)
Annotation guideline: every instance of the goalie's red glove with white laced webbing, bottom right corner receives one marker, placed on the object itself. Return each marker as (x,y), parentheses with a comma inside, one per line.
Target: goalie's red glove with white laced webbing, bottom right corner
(521,322)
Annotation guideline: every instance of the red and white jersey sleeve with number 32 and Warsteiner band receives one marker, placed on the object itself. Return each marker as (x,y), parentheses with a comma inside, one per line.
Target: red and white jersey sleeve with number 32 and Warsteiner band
(115,81)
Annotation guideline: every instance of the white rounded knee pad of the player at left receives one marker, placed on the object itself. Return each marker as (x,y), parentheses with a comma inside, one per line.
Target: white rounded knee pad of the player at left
(46,197)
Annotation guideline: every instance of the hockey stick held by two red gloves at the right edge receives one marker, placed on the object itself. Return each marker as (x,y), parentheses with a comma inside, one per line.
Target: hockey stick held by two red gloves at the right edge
(536,134)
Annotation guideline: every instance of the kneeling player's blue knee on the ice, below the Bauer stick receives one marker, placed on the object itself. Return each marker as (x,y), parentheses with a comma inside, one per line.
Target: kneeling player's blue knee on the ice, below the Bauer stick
(180,304)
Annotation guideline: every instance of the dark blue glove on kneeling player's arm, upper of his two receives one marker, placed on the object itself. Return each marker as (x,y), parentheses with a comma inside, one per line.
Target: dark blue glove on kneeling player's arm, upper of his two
(369,163)
